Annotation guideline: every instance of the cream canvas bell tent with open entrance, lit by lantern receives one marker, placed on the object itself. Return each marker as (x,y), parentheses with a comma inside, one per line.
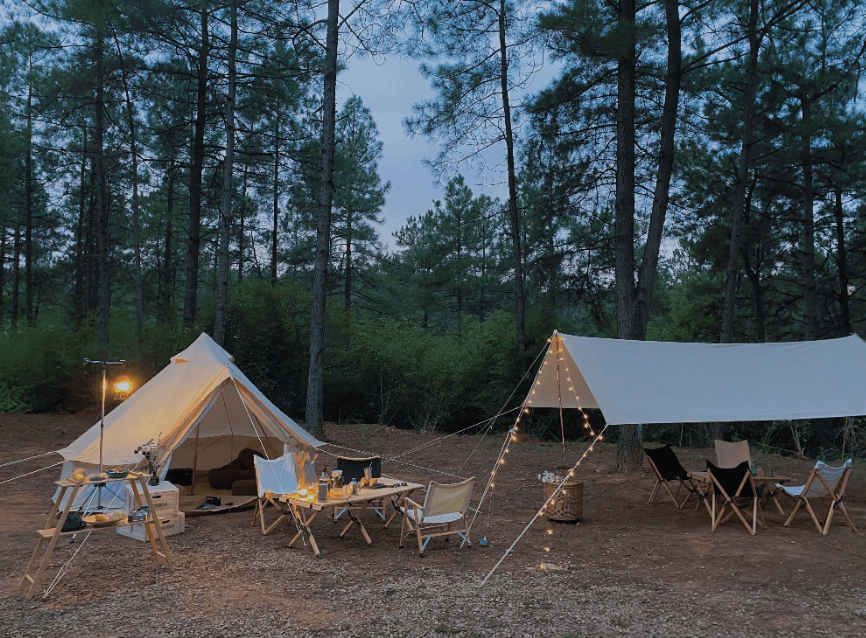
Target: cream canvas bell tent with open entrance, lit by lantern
(203,411)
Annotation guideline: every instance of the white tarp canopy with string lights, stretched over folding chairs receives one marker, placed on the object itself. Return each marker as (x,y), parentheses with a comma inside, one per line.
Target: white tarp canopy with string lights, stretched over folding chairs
(662,382)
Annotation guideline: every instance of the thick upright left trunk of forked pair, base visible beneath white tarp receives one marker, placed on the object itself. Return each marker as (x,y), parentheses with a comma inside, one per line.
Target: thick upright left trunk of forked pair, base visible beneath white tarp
(629,454)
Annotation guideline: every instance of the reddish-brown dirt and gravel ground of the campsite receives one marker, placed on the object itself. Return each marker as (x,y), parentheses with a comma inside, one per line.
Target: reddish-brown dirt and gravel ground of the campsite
(628,568)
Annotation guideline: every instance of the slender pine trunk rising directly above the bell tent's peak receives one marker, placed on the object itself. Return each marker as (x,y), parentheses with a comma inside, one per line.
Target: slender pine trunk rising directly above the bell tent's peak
(224,260)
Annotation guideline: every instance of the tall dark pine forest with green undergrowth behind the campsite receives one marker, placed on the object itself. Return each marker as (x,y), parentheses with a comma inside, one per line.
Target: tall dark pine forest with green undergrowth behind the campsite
(695,172)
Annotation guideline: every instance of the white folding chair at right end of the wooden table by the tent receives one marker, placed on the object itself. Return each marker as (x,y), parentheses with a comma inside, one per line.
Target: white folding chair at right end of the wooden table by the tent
(443,513)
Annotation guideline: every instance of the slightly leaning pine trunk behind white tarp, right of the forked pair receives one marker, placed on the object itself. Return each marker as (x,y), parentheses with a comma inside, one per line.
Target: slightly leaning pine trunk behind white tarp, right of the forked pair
(727,331)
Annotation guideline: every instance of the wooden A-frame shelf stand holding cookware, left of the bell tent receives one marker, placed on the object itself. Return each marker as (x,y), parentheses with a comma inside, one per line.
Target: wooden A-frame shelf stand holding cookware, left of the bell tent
(52,530)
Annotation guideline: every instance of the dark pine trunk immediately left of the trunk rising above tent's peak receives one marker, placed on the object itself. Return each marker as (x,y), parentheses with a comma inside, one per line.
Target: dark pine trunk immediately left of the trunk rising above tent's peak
(190,299)
